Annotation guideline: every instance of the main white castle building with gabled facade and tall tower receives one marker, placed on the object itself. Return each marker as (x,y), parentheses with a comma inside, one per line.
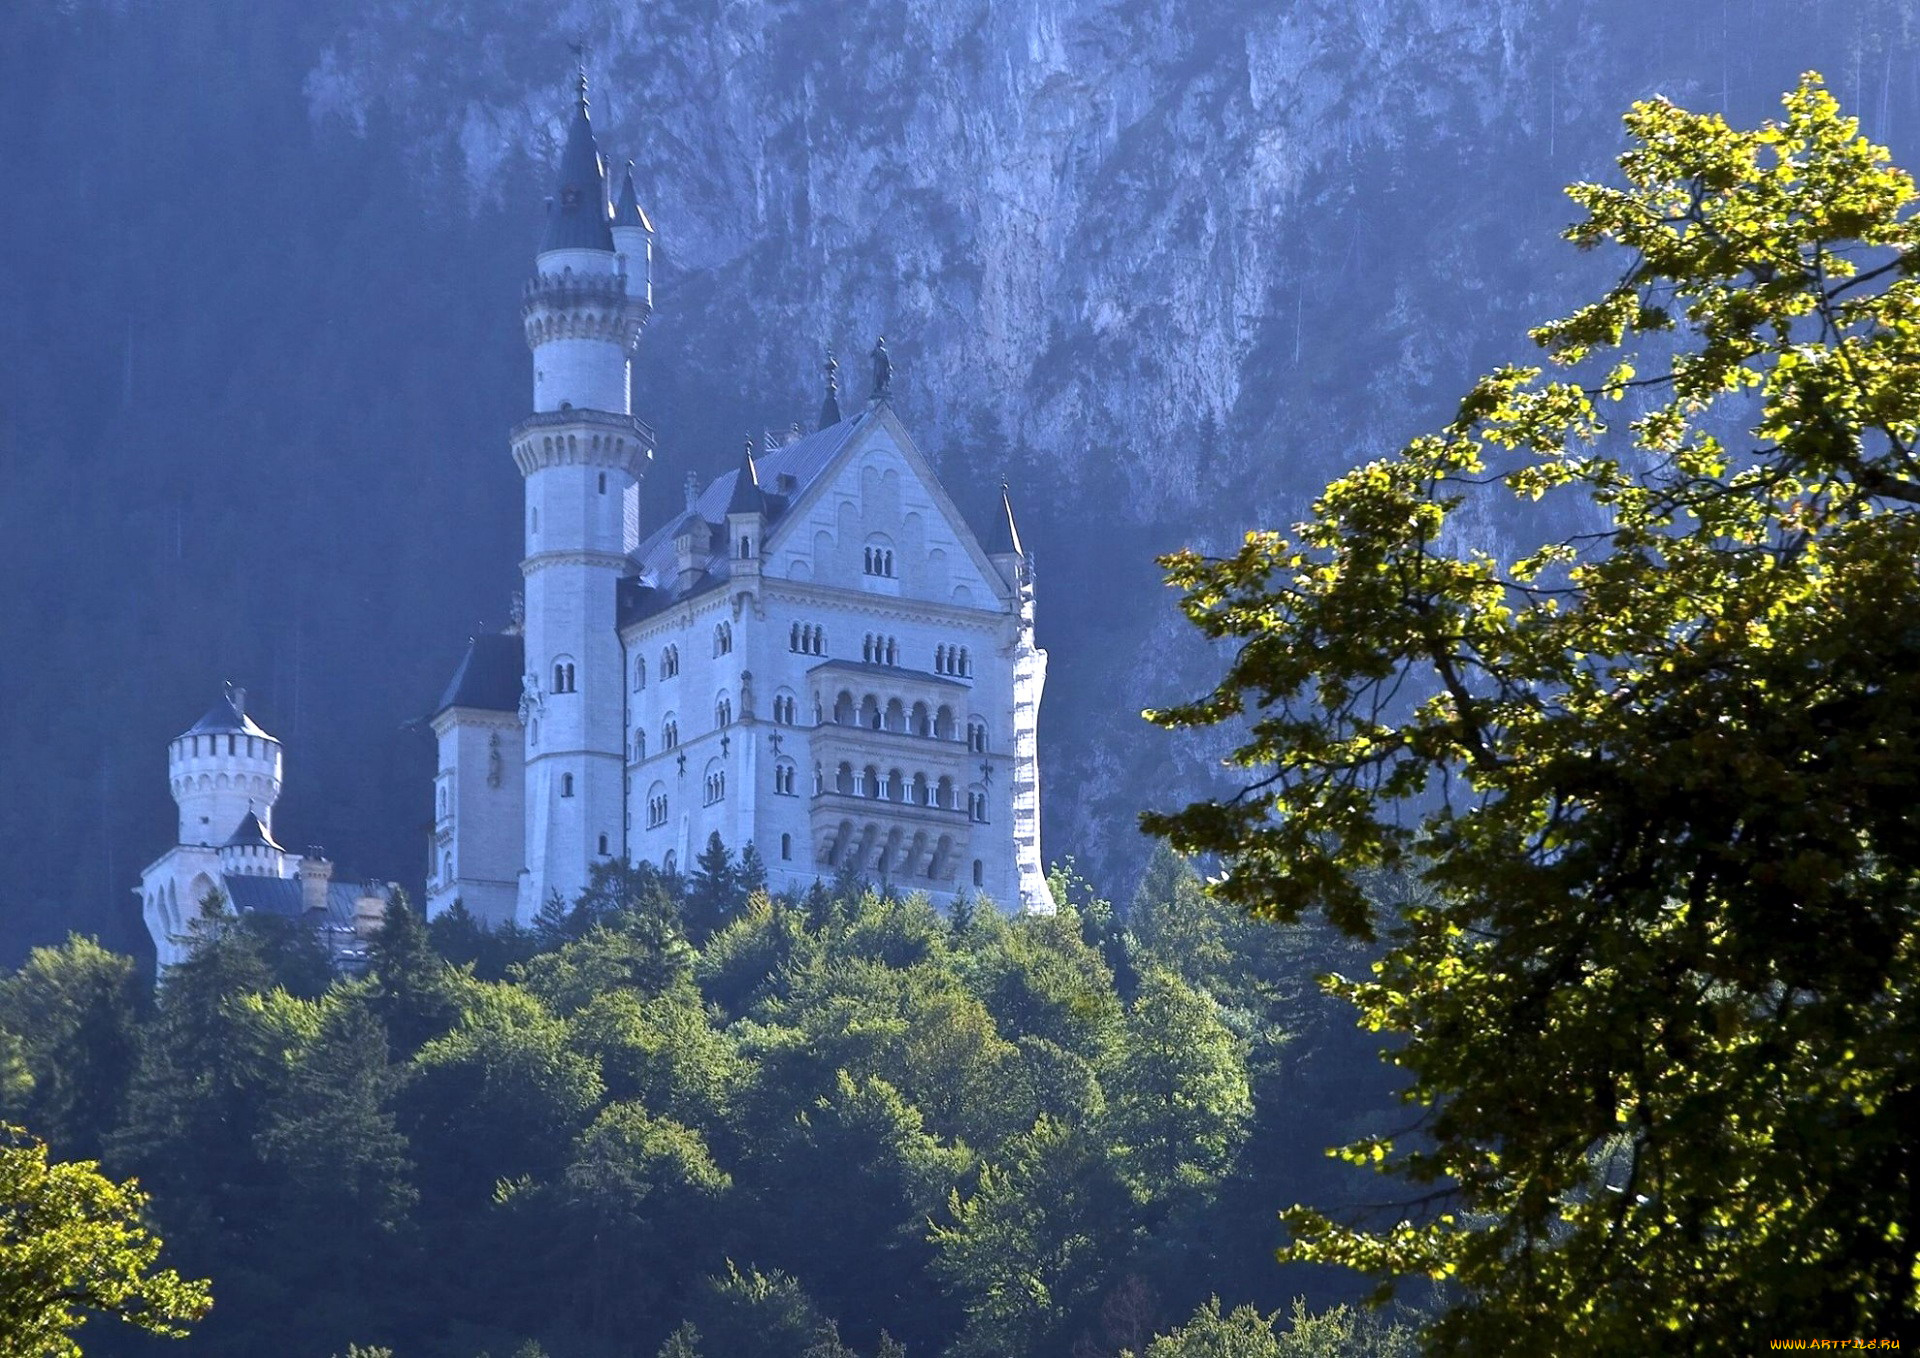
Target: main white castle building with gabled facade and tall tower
(817,656)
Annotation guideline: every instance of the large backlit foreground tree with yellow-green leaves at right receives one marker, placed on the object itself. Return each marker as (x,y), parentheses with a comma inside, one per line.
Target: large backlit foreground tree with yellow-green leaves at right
(1658,773)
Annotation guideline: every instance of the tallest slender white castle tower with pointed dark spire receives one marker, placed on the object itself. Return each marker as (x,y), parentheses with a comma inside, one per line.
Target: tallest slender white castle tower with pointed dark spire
(581,454)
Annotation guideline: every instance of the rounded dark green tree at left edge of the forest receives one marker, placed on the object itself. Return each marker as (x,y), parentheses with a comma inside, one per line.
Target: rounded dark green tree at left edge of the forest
(74,1015)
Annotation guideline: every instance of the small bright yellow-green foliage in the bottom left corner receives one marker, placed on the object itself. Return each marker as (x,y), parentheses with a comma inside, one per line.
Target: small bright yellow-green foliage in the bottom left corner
(72,1248)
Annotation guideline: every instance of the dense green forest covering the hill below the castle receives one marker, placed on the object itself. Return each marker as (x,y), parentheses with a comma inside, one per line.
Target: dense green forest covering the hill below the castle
(686,1119)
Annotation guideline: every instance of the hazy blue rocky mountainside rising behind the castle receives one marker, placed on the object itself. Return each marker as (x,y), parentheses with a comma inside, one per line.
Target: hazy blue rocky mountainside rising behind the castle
(1163,264)
